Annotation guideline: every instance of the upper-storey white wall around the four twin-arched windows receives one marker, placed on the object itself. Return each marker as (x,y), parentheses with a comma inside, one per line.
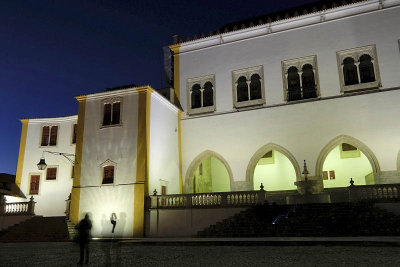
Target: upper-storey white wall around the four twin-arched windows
(320,39)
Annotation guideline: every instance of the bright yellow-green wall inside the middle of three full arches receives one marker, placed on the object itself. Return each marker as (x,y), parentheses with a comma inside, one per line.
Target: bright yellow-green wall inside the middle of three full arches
(279,175)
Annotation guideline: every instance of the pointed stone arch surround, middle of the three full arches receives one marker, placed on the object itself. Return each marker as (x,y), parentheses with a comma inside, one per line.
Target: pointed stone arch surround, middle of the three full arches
(264,149)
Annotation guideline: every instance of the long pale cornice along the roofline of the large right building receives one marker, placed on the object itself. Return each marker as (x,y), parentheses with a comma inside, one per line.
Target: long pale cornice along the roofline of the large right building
(287,24)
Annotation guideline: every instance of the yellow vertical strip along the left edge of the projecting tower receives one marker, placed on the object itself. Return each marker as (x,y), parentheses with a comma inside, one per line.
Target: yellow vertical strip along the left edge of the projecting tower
(76,190)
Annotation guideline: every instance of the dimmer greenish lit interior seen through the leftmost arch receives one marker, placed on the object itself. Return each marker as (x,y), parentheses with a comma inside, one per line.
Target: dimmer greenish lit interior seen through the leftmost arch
(211,176)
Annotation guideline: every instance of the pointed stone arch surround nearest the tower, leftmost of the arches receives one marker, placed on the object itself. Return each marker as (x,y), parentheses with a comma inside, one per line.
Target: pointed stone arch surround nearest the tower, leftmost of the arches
(195,163)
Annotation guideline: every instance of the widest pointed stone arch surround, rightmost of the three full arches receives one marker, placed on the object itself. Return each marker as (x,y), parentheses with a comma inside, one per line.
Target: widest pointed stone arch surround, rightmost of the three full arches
(349,140)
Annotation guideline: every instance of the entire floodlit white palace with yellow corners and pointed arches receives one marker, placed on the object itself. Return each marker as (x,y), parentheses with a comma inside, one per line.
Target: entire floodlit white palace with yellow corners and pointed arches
(248,105)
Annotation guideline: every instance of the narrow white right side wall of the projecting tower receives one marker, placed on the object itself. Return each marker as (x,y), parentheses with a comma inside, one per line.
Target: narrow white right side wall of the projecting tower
(164,154)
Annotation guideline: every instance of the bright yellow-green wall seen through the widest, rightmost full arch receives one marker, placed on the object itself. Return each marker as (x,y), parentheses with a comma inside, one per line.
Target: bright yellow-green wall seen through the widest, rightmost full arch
(345,168)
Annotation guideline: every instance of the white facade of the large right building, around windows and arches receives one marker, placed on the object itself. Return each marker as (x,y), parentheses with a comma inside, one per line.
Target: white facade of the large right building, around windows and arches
(305,127)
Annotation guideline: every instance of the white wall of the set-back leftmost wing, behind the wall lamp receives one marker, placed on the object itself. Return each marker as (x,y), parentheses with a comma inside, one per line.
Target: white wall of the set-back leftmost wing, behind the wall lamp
(52,194)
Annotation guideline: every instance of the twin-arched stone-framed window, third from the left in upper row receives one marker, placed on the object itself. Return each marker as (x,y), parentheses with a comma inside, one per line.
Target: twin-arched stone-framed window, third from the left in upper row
(300,78)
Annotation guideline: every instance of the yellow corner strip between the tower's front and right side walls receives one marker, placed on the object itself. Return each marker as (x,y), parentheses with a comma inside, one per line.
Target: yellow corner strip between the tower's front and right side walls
(142,160)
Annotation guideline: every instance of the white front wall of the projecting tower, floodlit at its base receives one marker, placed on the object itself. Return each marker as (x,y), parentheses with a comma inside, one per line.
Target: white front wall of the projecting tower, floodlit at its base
(119,145)
